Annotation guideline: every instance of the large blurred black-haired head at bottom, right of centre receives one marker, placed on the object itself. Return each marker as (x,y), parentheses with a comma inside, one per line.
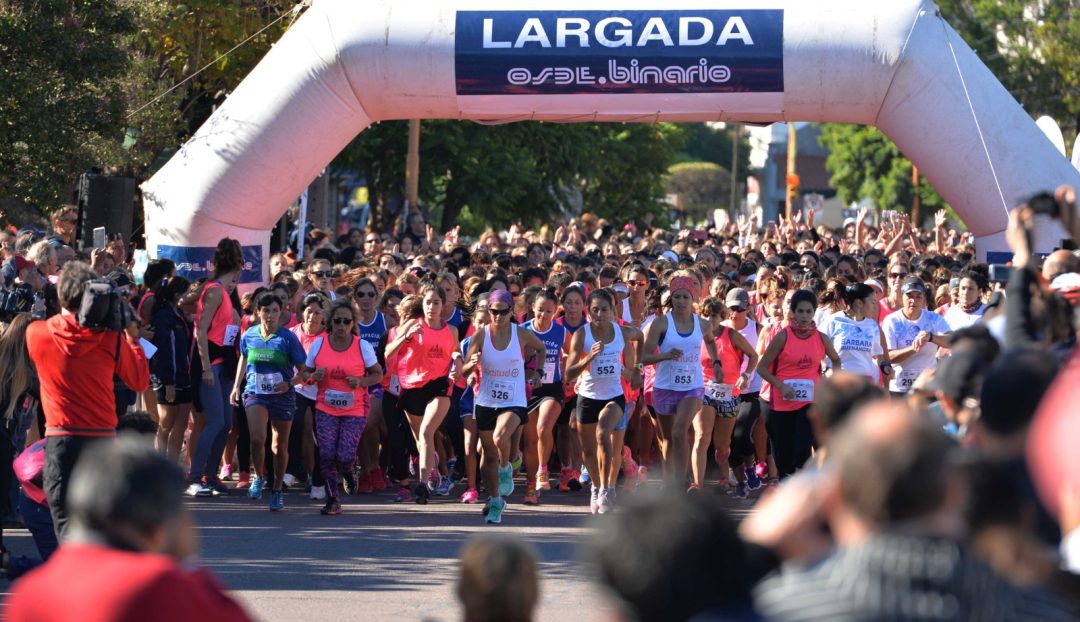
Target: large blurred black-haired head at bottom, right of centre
(676,573)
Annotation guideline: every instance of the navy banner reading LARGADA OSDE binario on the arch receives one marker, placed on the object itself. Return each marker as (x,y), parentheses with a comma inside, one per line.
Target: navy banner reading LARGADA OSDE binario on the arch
(618,52)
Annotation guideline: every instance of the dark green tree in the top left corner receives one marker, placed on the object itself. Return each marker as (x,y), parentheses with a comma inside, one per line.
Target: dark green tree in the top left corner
(61,73)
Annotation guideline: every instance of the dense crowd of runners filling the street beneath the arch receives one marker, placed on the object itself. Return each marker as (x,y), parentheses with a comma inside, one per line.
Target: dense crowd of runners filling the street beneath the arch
(587,359)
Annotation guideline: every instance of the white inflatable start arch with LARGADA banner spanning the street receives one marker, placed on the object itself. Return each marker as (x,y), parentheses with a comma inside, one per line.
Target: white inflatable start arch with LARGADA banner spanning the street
(346,64)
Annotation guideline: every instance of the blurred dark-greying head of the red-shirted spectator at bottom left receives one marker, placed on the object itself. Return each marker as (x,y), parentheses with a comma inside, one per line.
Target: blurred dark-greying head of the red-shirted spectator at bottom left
(130,496)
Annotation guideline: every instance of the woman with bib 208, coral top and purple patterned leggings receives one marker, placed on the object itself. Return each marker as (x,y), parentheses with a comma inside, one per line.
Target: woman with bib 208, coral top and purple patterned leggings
(344,367)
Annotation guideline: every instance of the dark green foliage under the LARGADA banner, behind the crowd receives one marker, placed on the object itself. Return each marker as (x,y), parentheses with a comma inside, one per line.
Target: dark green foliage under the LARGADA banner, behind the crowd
(519,172)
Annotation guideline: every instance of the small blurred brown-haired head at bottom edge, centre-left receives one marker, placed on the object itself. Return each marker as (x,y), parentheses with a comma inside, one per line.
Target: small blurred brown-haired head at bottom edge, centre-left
(499,582)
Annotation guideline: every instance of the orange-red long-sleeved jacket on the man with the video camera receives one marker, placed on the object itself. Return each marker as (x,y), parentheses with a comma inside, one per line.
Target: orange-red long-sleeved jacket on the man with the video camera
(76,367)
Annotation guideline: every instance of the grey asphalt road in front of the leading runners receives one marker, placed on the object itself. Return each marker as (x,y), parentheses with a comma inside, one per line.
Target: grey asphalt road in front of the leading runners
(381,560)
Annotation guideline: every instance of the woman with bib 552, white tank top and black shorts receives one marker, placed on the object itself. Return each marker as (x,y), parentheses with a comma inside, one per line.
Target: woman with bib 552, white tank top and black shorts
(600,356)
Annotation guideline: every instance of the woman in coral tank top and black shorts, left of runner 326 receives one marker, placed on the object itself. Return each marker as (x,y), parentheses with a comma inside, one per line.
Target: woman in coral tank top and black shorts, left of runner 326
(428,367)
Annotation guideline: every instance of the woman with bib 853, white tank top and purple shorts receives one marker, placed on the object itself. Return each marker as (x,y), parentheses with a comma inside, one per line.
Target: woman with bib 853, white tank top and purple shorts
(680,385)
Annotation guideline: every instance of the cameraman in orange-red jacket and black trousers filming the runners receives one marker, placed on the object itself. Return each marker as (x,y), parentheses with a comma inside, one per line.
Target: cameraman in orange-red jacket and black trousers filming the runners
(75,367)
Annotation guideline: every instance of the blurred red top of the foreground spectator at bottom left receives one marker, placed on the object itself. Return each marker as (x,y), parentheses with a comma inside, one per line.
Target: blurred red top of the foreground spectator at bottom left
(93,584)
